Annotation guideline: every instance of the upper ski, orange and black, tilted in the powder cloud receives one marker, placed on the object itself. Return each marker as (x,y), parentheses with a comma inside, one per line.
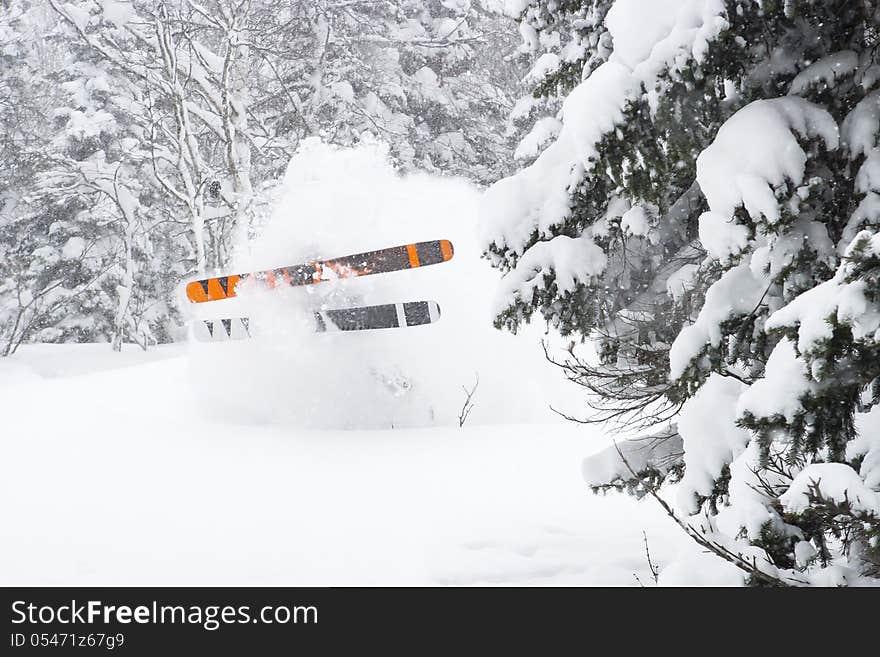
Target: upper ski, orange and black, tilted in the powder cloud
(395,258)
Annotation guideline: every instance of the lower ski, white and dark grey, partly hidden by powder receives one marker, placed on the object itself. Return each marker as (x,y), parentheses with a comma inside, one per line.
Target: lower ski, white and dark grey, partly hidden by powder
(365,318)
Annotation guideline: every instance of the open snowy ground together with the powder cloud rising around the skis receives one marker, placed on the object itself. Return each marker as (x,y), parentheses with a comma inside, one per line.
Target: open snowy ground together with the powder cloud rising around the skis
(295,458)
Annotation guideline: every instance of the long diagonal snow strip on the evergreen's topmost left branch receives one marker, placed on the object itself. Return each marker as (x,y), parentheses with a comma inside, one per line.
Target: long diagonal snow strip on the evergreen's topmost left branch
(537,198)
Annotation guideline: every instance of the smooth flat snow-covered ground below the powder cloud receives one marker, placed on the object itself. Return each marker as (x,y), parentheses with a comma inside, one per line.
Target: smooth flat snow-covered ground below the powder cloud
(114,473)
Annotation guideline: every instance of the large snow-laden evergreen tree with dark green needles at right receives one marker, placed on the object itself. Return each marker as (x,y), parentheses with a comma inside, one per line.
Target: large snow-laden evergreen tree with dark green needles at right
(707,216)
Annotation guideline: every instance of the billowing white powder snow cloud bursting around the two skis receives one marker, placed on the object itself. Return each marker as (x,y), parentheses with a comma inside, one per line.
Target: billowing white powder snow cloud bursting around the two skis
(335,202)
